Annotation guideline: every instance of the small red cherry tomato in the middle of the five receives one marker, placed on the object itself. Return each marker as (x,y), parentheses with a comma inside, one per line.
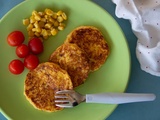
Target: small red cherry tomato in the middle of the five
(22,50)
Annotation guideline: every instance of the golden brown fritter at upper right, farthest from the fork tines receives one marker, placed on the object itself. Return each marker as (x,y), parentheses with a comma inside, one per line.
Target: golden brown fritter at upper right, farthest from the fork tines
(91,40)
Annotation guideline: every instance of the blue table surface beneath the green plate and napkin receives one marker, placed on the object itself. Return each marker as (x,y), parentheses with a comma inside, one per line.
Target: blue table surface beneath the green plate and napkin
(139,82)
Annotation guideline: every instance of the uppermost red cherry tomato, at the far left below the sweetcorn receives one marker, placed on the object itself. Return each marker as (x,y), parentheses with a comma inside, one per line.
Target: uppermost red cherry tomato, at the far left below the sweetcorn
(15,38)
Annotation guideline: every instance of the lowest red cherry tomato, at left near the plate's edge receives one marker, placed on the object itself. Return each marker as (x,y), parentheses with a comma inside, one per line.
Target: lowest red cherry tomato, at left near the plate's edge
(16,66)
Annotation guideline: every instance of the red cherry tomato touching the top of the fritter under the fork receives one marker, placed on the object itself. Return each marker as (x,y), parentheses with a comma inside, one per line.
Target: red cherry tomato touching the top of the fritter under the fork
(31,61)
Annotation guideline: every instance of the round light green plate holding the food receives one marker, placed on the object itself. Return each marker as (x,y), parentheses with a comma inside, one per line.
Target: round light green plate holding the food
(111,77)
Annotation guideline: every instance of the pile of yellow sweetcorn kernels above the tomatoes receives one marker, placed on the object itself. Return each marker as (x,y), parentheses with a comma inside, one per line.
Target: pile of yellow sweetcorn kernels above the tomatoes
(45,24)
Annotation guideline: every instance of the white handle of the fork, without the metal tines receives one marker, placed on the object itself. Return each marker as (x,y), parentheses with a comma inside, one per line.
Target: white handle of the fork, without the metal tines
(119,98)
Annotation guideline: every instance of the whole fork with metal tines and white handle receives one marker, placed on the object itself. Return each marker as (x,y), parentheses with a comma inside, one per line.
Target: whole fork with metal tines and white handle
(71,98)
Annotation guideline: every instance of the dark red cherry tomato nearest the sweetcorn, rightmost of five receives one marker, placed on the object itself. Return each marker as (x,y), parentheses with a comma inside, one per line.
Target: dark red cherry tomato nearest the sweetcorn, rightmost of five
(35,45)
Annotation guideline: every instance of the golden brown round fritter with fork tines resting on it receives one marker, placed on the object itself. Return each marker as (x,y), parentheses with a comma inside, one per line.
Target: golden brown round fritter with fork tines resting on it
(42,83)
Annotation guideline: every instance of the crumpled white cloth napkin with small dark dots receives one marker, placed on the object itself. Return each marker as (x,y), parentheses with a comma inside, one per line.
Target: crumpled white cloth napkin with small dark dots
(144,16)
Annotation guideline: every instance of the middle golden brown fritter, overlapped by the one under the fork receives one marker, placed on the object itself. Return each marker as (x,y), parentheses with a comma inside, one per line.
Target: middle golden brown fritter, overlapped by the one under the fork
(74,60)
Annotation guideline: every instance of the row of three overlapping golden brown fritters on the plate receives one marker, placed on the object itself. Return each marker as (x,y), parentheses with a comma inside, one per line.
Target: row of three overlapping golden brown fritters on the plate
(84,50)
